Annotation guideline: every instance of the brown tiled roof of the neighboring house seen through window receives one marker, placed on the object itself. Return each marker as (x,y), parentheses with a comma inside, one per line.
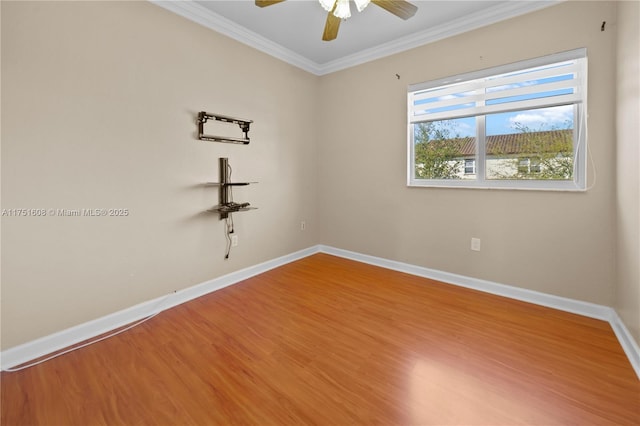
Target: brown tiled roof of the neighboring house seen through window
(530,143)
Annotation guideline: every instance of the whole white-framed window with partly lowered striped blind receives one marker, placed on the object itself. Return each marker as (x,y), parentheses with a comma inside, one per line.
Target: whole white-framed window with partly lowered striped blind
(520,125)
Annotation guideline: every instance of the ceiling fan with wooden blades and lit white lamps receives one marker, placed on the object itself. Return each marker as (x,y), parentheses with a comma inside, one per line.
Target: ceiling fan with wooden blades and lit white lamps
(337,10)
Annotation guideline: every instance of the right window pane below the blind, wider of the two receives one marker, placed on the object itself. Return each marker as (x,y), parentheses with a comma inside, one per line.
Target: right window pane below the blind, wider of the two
(530,145)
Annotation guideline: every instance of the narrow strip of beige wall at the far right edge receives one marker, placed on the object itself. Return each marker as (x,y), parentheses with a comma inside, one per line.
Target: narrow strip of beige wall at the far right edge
(628,161)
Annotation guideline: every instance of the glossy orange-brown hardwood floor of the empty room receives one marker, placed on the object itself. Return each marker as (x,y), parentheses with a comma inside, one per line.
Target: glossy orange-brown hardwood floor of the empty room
(329,341)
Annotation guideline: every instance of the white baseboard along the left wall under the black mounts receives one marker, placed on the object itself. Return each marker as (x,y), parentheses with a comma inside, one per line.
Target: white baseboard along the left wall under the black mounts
(63,339)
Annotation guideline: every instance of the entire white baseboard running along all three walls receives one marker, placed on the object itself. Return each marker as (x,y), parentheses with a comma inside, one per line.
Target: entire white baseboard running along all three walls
(55,342)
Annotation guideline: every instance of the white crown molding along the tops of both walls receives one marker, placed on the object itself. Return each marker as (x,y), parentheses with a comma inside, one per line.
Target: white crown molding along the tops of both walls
(203,16)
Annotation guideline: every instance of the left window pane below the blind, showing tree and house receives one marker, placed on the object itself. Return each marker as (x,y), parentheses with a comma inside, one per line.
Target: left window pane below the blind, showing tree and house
(442,147)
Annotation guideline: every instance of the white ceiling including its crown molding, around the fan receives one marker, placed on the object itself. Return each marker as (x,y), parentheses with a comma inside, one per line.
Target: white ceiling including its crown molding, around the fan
(292,30)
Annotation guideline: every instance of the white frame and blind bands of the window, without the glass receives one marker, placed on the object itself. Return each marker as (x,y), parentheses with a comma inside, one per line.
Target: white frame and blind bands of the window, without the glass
(480,110)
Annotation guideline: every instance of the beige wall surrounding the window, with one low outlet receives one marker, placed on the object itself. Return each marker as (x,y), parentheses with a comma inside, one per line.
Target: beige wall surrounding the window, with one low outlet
(559,243)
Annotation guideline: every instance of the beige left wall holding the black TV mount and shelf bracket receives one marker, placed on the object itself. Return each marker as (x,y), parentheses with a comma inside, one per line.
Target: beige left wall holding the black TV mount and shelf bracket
(98,111)
